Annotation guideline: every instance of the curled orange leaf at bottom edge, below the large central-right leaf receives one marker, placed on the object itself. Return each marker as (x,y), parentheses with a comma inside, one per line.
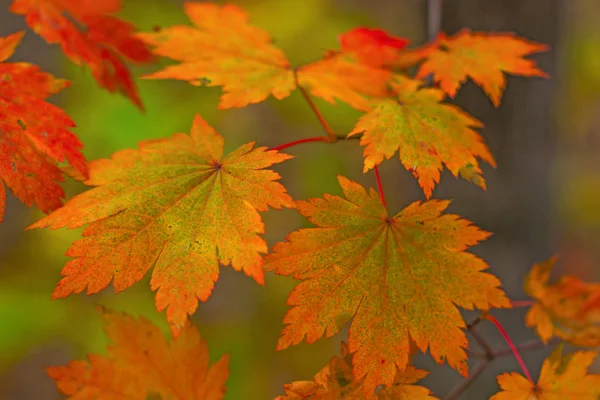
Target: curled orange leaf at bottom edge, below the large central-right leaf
(335,381)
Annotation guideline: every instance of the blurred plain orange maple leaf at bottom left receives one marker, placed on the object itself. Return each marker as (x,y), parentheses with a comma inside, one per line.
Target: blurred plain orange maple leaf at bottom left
(141,362)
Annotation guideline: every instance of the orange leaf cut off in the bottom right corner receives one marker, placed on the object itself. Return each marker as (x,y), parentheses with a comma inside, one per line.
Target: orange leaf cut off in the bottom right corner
(562,378)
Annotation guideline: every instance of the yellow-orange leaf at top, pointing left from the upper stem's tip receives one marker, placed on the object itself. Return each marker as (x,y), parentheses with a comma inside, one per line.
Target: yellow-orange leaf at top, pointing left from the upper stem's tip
(223,49)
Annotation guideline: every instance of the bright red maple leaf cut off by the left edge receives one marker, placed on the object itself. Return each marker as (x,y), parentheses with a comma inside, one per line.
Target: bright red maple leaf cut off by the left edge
(35,135)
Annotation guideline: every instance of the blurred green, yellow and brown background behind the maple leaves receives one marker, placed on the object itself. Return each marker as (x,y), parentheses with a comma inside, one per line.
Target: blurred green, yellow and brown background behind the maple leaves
(543,199)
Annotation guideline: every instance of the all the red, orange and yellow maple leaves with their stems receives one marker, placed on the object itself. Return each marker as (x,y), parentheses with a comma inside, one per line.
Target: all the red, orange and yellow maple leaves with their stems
(181,208)
